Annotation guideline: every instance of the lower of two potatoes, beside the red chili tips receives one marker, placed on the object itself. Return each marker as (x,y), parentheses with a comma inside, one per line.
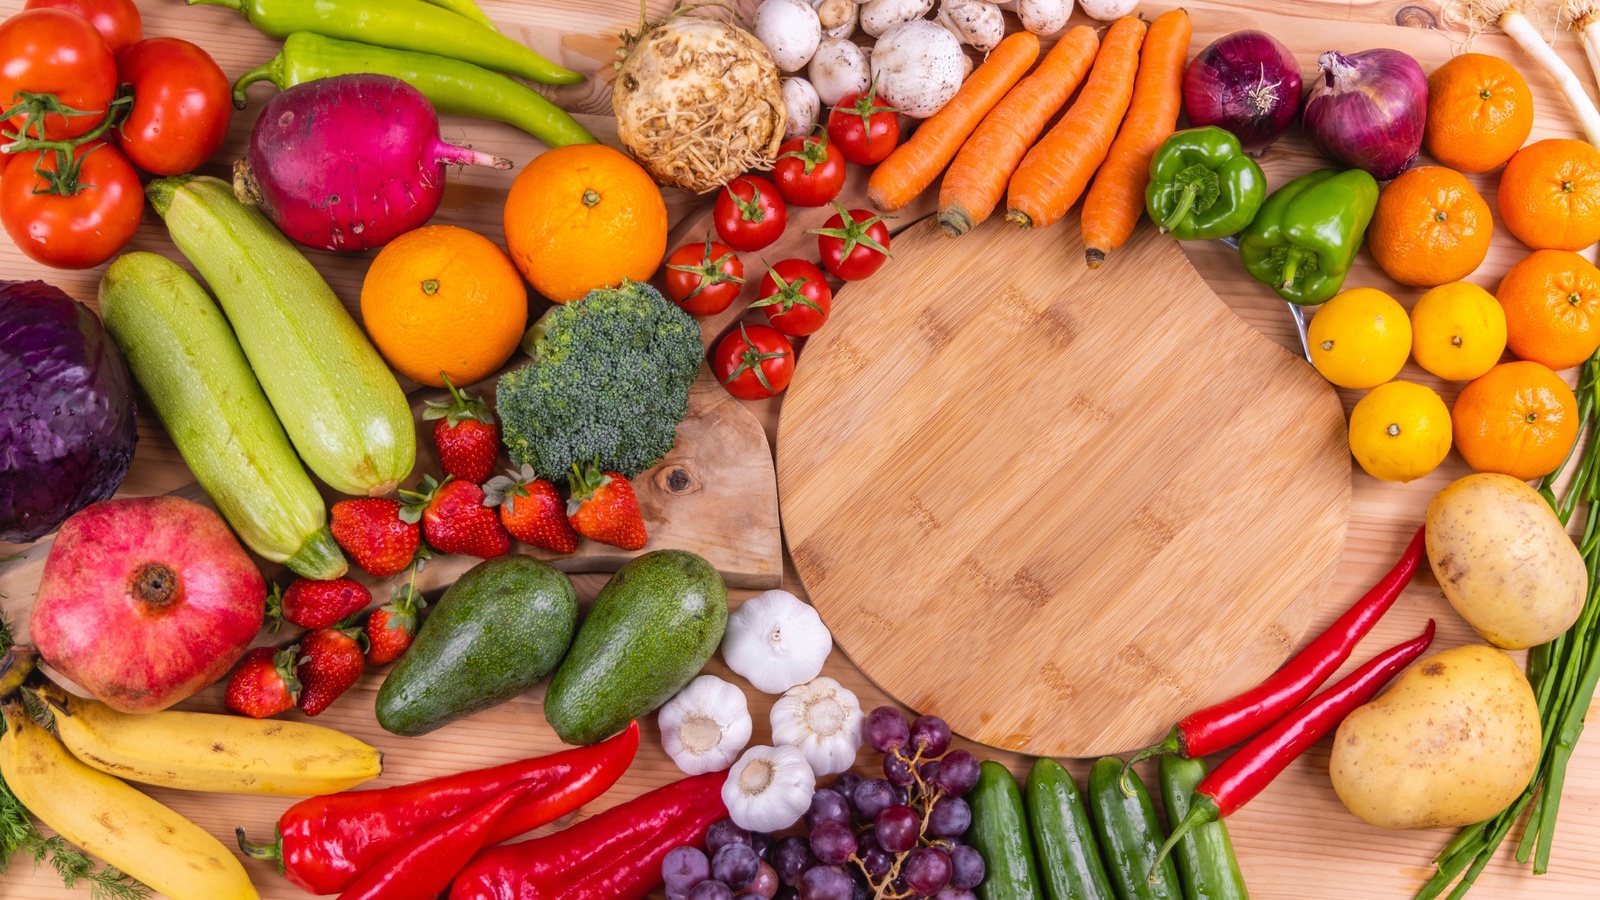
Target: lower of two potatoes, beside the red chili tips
(1454,742)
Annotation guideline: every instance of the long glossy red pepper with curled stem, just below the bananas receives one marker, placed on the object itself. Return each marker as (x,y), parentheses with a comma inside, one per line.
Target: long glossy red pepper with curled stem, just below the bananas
(324,845)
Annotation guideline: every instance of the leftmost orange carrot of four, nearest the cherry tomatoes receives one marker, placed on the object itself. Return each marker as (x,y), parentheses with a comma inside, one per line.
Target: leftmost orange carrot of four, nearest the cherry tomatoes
(913,167)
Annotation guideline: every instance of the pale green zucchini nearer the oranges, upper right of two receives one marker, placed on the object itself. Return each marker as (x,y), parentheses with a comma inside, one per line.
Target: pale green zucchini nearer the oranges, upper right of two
(342,406)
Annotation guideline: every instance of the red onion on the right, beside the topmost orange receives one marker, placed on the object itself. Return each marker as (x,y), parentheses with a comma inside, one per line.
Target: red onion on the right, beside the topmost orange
(1367,111)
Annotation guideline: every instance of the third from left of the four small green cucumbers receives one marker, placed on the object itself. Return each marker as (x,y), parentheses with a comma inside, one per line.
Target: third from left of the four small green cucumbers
(1129,835)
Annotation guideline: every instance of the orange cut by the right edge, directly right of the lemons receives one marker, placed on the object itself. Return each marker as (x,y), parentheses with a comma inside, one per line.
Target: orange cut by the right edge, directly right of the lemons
(1553,308)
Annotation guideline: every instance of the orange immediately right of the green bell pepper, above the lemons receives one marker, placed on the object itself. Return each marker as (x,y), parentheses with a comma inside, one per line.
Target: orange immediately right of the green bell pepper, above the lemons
(1430,228)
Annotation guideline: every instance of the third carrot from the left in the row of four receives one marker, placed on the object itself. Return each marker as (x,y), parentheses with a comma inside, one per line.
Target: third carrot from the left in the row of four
(1058,169)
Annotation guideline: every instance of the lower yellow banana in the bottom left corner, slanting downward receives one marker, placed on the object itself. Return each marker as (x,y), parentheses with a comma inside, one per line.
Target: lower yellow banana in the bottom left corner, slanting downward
(113,821)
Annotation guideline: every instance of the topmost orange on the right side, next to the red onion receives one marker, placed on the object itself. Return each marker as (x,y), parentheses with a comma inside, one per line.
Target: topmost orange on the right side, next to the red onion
(1479,113)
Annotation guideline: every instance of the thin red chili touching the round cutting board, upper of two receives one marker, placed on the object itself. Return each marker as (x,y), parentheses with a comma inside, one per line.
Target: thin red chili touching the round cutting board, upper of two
(1231,721)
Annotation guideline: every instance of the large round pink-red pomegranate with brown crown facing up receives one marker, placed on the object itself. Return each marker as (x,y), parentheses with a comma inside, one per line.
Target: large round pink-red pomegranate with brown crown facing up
(146,601)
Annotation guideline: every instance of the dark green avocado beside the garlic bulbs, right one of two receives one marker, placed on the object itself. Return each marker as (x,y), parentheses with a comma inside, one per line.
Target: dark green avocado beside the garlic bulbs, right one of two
(650,632)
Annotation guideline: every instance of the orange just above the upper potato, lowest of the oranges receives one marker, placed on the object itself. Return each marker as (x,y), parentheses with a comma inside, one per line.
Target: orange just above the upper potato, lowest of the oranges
(1519,420)
